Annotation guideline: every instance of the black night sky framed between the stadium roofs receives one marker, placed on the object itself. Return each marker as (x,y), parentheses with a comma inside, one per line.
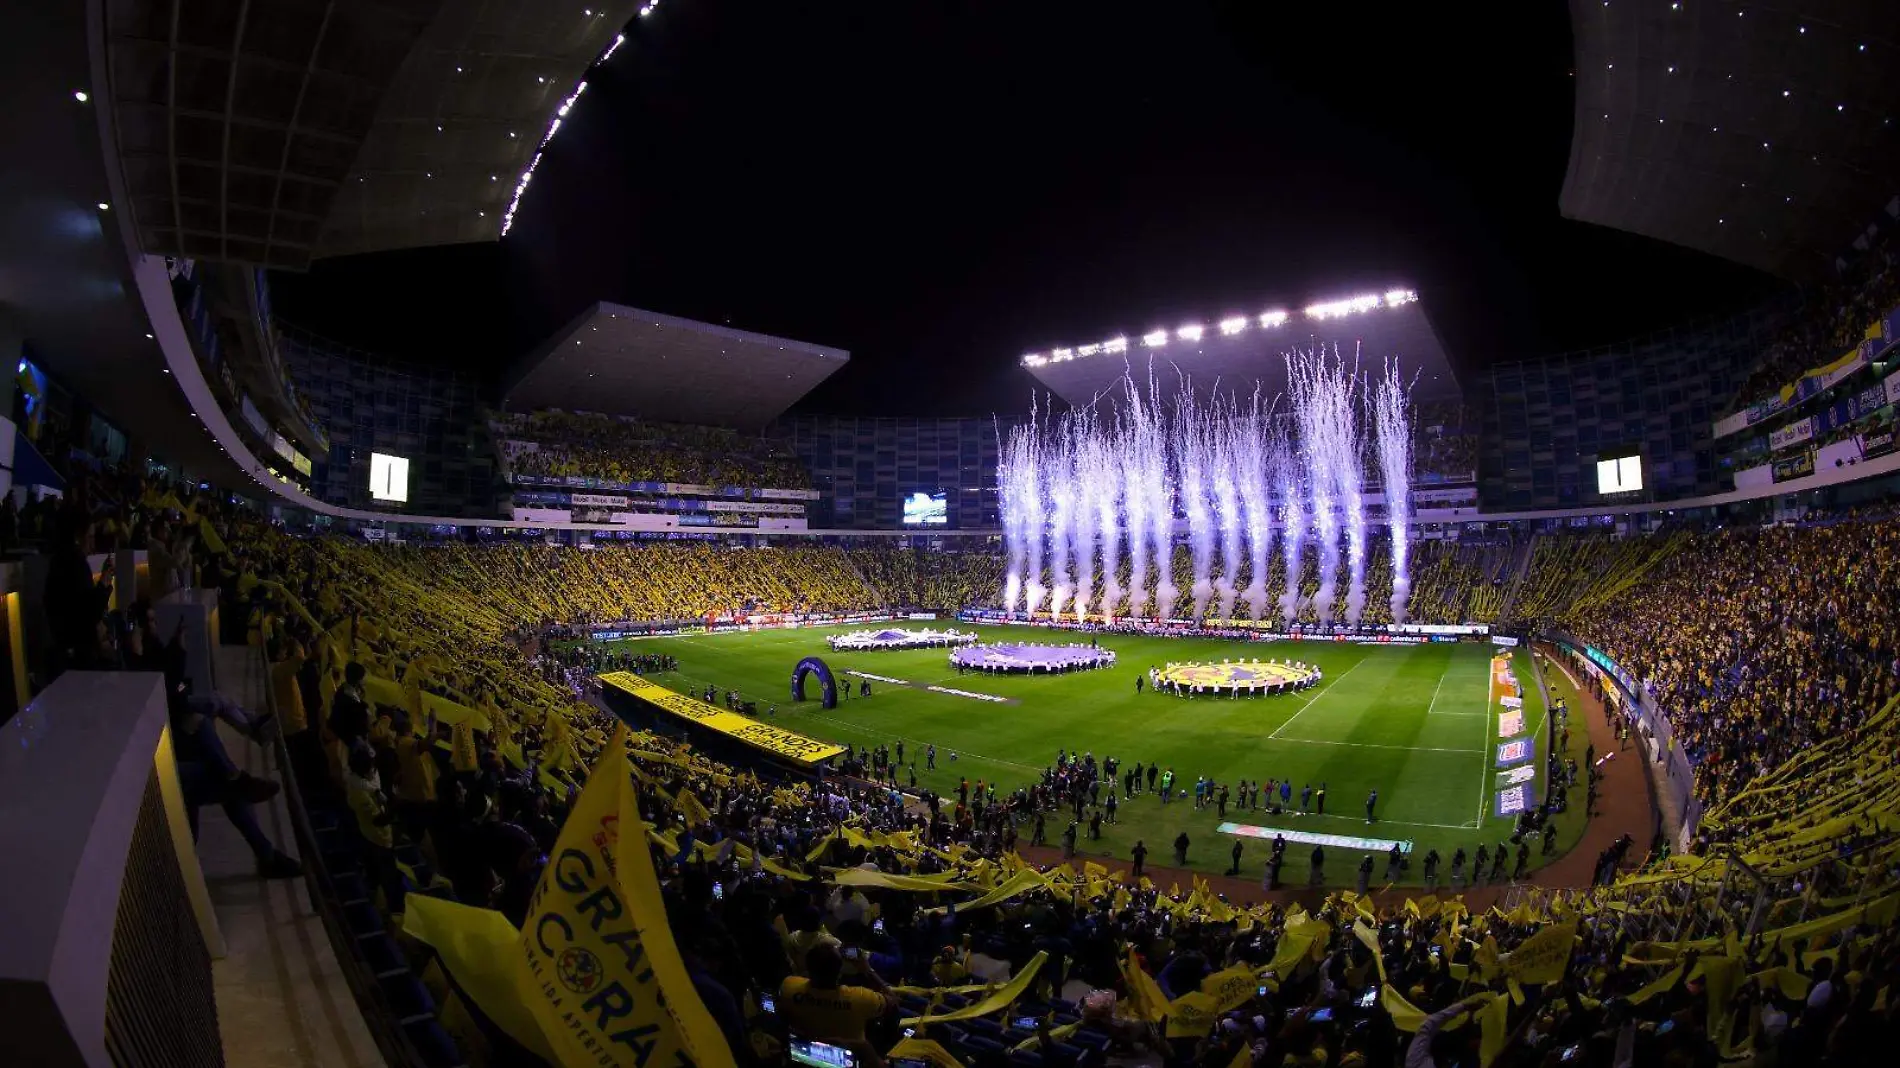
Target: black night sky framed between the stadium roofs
(943,187)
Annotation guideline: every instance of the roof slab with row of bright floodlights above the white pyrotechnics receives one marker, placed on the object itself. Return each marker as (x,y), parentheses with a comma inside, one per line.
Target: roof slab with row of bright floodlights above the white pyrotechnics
(1242,353)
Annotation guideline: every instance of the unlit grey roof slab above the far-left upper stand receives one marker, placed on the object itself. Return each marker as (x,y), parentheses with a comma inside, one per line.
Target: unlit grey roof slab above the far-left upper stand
(641,364)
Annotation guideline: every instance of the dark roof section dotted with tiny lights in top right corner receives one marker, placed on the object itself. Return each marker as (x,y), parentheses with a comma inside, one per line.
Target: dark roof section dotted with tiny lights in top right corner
(1768,136)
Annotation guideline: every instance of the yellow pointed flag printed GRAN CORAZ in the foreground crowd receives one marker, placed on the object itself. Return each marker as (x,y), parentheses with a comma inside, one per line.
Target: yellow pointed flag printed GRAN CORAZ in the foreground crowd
(598,964)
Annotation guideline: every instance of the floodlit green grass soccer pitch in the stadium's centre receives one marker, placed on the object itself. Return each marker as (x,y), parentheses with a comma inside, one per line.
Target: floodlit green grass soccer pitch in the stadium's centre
(1409,721)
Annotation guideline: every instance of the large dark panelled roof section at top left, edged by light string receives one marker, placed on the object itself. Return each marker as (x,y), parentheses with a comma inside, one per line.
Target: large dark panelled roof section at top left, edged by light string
(278,132)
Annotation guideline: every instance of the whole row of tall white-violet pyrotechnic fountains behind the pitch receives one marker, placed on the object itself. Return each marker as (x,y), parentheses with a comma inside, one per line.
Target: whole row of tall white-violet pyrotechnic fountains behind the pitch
(1228,478)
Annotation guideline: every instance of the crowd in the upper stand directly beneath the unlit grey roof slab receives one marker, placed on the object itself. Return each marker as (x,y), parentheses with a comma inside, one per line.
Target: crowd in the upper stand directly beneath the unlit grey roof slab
(618,449)
